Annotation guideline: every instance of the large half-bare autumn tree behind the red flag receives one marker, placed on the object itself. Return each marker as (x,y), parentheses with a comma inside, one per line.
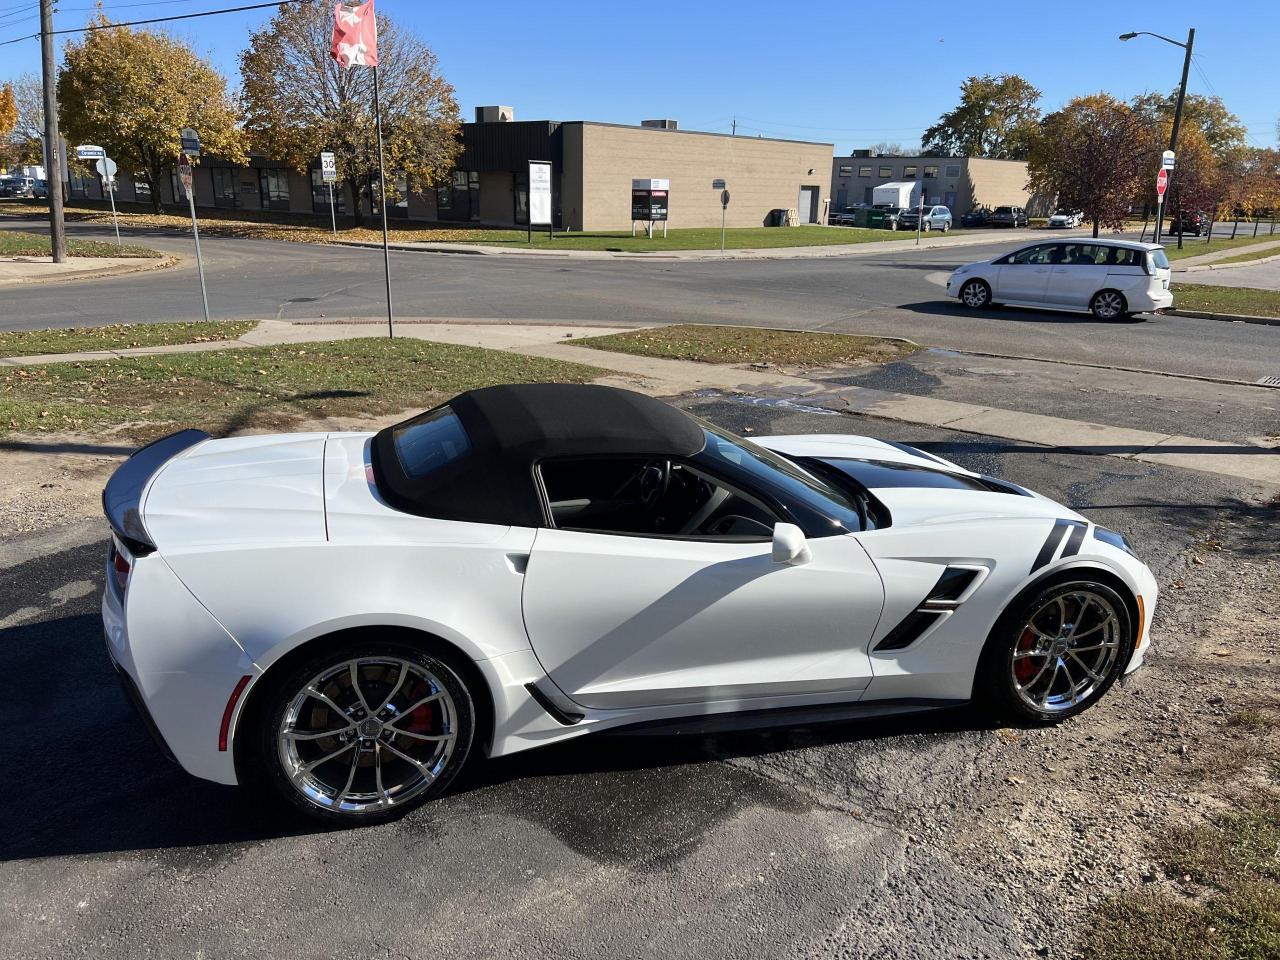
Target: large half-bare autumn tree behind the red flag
(299,102)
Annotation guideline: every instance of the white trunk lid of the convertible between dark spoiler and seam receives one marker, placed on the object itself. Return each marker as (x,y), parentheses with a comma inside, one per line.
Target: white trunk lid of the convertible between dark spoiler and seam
(241,490)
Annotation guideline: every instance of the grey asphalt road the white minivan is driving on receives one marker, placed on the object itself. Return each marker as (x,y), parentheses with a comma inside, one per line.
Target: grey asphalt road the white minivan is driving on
(892,294)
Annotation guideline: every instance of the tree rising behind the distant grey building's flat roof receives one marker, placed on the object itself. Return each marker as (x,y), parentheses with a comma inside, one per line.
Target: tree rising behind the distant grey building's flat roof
(996,118)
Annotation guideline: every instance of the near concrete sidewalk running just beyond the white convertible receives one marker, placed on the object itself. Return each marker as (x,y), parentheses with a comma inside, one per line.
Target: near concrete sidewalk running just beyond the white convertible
(661,377)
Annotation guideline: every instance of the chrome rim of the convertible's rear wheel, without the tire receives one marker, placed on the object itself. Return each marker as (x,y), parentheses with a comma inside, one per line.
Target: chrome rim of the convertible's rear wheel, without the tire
(368,734)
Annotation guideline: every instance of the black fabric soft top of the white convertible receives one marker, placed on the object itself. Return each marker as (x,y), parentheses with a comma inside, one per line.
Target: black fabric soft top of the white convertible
(488,476)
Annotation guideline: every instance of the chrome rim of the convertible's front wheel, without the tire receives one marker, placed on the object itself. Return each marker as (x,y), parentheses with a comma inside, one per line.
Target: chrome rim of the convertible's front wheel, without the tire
(1066,651)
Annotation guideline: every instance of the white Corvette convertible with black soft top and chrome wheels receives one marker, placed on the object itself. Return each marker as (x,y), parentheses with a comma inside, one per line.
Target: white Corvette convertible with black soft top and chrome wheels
(344,619)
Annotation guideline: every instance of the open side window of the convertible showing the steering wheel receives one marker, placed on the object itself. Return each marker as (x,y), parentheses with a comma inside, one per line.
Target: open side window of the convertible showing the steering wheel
(650,499)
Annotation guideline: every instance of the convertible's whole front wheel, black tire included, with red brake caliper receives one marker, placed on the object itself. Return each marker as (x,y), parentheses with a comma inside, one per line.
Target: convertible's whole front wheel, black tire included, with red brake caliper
(1058,652)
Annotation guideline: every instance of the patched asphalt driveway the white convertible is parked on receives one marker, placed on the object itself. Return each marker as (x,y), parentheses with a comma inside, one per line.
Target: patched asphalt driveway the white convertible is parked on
(936,836)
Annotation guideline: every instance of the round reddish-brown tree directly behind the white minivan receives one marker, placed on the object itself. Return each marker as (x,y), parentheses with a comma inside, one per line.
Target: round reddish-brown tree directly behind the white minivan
(1094,154)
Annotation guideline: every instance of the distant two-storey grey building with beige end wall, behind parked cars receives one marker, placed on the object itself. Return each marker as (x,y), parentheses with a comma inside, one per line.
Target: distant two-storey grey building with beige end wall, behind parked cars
(959,184)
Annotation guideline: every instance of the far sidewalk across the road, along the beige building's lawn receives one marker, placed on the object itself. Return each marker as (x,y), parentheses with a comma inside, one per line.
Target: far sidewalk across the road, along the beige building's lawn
(902,243)
